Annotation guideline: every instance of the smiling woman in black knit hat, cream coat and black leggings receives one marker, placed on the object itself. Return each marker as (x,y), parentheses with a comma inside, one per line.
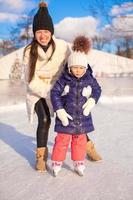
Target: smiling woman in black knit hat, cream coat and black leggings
(44,59)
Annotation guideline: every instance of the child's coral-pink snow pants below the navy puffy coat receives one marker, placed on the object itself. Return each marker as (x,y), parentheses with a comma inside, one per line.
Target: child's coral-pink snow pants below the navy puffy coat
(78,147)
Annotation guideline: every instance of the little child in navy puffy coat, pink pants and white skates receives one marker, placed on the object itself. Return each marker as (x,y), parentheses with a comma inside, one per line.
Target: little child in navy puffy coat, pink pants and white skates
(73,96)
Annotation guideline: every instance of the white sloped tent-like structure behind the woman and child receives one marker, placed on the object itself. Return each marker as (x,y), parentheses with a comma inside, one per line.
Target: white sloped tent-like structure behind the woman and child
(103,63)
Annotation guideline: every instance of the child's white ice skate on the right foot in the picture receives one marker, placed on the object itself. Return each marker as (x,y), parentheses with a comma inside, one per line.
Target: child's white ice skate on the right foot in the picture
(79,167)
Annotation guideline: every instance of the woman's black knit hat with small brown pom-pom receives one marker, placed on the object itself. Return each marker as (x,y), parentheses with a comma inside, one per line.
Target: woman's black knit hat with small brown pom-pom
(42,19)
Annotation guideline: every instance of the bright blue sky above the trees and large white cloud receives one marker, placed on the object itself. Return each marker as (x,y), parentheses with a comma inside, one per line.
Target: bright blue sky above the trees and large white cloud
(10,10)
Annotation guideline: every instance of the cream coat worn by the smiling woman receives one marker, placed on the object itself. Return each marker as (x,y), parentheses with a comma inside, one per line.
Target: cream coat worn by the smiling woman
(46,73)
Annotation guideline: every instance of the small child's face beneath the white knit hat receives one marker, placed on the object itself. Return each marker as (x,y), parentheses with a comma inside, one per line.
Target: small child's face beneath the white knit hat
(78,71)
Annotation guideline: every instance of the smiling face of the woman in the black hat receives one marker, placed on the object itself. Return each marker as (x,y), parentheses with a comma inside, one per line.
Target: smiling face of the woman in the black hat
(43,37)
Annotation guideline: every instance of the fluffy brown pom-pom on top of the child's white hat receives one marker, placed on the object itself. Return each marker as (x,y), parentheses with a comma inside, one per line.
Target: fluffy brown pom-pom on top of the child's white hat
(82,44)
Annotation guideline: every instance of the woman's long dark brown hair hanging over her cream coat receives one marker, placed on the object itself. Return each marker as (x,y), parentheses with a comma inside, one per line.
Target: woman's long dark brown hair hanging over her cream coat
(34,56)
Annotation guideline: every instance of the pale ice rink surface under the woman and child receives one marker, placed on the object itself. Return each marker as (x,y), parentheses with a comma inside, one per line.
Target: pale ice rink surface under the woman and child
(110,179)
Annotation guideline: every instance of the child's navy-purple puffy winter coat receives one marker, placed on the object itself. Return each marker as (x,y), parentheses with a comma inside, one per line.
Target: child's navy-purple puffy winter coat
(73,101)
